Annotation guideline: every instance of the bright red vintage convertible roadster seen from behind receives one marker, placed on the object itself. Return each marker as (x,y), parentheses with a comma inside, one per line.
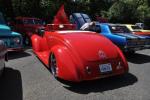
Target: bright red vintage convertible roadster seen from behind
(77,55)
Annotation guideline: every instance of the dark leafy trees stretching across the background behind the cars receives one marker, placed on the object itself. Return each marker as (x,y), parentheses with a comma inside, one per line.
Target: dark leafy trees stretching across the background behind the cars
(119,11)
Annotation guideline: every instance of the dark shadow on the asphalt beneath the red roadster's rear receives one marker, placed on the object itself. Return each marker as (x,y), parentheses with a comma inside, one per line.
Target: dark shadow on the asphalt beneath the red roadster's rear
(102,85)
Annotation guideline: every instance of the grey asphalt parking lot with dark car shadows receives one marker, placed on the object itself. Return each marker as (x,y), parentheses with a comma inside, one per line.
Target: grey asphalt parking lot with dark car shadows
(26,78)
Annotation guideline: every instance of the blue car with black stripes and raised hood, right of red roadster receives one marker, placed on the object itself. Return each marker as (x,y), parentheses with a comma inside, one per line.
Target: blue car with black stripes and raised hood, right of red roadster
(118,34)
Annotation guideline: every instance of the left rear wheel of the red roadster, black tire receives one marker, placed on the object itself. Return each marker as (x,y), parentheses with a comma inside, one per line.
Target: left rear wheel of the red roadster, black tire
(53,65)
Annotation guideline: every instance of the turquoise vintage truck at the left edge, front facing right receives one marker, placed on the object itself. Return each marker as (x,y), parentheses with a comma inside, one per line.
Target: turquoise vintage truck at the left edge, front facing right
(12,40)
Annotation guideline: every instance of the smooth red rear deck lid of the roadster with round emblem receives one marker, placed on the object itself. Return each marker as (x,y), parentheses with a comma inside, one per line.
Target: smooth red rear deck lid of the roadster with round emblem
(91,47)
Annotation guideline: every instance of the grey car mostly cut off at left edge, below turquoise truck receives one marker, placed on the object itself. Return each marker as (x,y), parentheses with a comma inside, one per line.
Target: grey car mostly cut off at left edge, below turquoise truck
(3,56)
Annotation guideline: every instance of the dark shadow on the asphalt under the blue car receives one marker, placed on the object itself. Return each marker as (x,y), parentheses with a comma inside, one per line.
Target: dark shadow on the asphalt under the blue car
(138,58)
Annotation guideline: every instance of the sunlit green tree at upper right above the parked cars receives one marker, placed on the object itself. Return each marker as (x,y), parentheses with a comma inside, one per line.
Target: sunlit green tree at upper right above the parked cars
(128,11)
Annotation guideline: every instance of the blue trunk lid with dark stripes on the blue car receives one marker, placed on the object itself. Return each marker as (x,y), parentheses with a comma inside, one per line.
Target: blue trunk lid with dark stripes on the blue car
(130,36)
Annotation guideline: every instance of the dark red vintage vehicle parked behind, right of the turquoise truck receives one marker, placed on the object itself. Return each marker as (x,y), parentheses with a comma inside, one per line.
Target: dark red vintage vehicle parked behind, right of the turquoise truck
(27,26)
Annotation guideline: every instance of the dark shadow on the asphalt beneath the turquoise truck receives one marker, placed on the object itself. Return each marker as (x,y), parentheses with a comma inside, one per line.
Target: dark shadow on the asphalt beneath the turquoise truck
(15,55)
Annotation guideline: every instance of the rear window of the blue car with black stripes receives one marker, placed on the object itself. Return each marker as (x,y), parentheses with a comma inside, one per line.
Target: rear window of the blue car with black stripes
(119,29)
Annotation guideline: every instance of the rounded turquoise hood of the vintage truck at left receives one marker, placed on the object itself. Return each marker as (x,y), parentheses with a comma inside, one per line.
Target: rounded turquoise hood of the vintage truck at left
(6,31)
